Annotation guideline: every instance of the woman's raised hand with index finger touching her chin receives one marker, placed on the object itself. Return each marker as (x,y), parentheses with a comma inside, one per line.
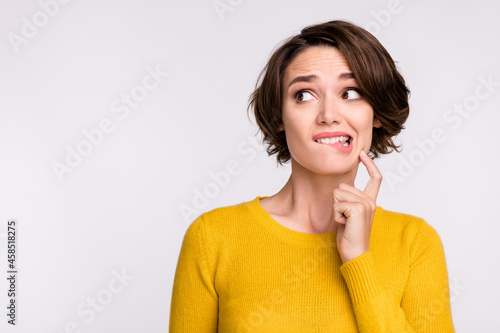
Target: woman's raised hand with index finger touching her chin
(354,210)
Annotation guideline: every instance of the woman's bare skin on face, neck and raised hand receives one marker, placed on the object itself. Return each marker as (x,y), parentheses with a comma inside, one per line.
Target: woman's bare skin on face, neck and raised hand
(320,196)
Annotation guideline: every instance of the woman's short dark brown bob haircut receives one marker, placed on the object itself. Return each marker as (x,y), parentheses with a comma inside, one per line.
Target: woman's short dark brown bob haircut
(375,72)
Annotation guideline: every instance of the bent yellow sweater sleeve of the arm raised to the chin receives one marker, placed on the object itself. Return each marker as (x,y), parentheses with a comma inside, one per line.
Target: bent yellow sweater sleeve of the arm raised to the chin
(425,305)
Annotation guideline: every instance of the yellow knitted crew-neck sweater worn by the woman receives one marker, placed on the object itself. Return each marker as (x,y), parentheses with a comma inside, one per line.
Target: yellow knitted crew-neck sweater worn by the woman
(241,271)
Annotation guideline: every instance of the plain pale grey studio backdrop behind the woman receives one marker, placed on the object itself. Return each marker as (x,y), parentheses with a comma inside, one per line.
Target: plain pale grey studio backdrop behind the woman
(122,121)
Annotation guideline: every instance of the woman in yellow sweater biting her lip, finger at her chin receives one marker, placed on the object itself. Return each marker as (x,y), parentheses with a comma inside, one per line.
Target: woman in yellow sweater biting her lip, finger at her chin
(319,255)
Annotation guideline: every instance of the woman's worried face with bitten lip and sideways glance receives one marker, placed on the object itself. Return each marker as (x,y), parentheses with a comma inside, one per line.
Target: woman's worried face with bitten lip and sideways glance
(321,97)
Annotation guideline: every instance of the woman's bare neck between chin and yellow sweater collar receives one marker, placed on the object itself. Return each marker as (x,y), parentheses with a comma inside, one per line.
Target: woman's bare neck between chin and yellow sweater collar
(307,198)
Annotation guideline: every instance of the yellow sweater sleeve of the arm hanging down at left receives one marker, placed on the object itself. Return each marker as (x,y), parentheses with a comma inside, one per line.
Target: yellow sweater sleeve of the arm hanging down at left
(194,304)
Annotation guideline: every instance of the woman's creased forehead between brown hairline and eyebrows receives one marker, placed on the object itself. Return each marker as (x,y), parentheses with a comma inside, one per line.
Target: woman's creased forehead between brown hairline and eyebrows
(317,59)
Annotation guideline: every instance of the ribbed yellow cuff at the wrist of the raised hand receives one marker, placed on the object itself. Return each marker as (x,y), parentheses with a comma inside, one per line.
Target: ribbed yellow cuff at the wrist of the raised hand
(361,278)
